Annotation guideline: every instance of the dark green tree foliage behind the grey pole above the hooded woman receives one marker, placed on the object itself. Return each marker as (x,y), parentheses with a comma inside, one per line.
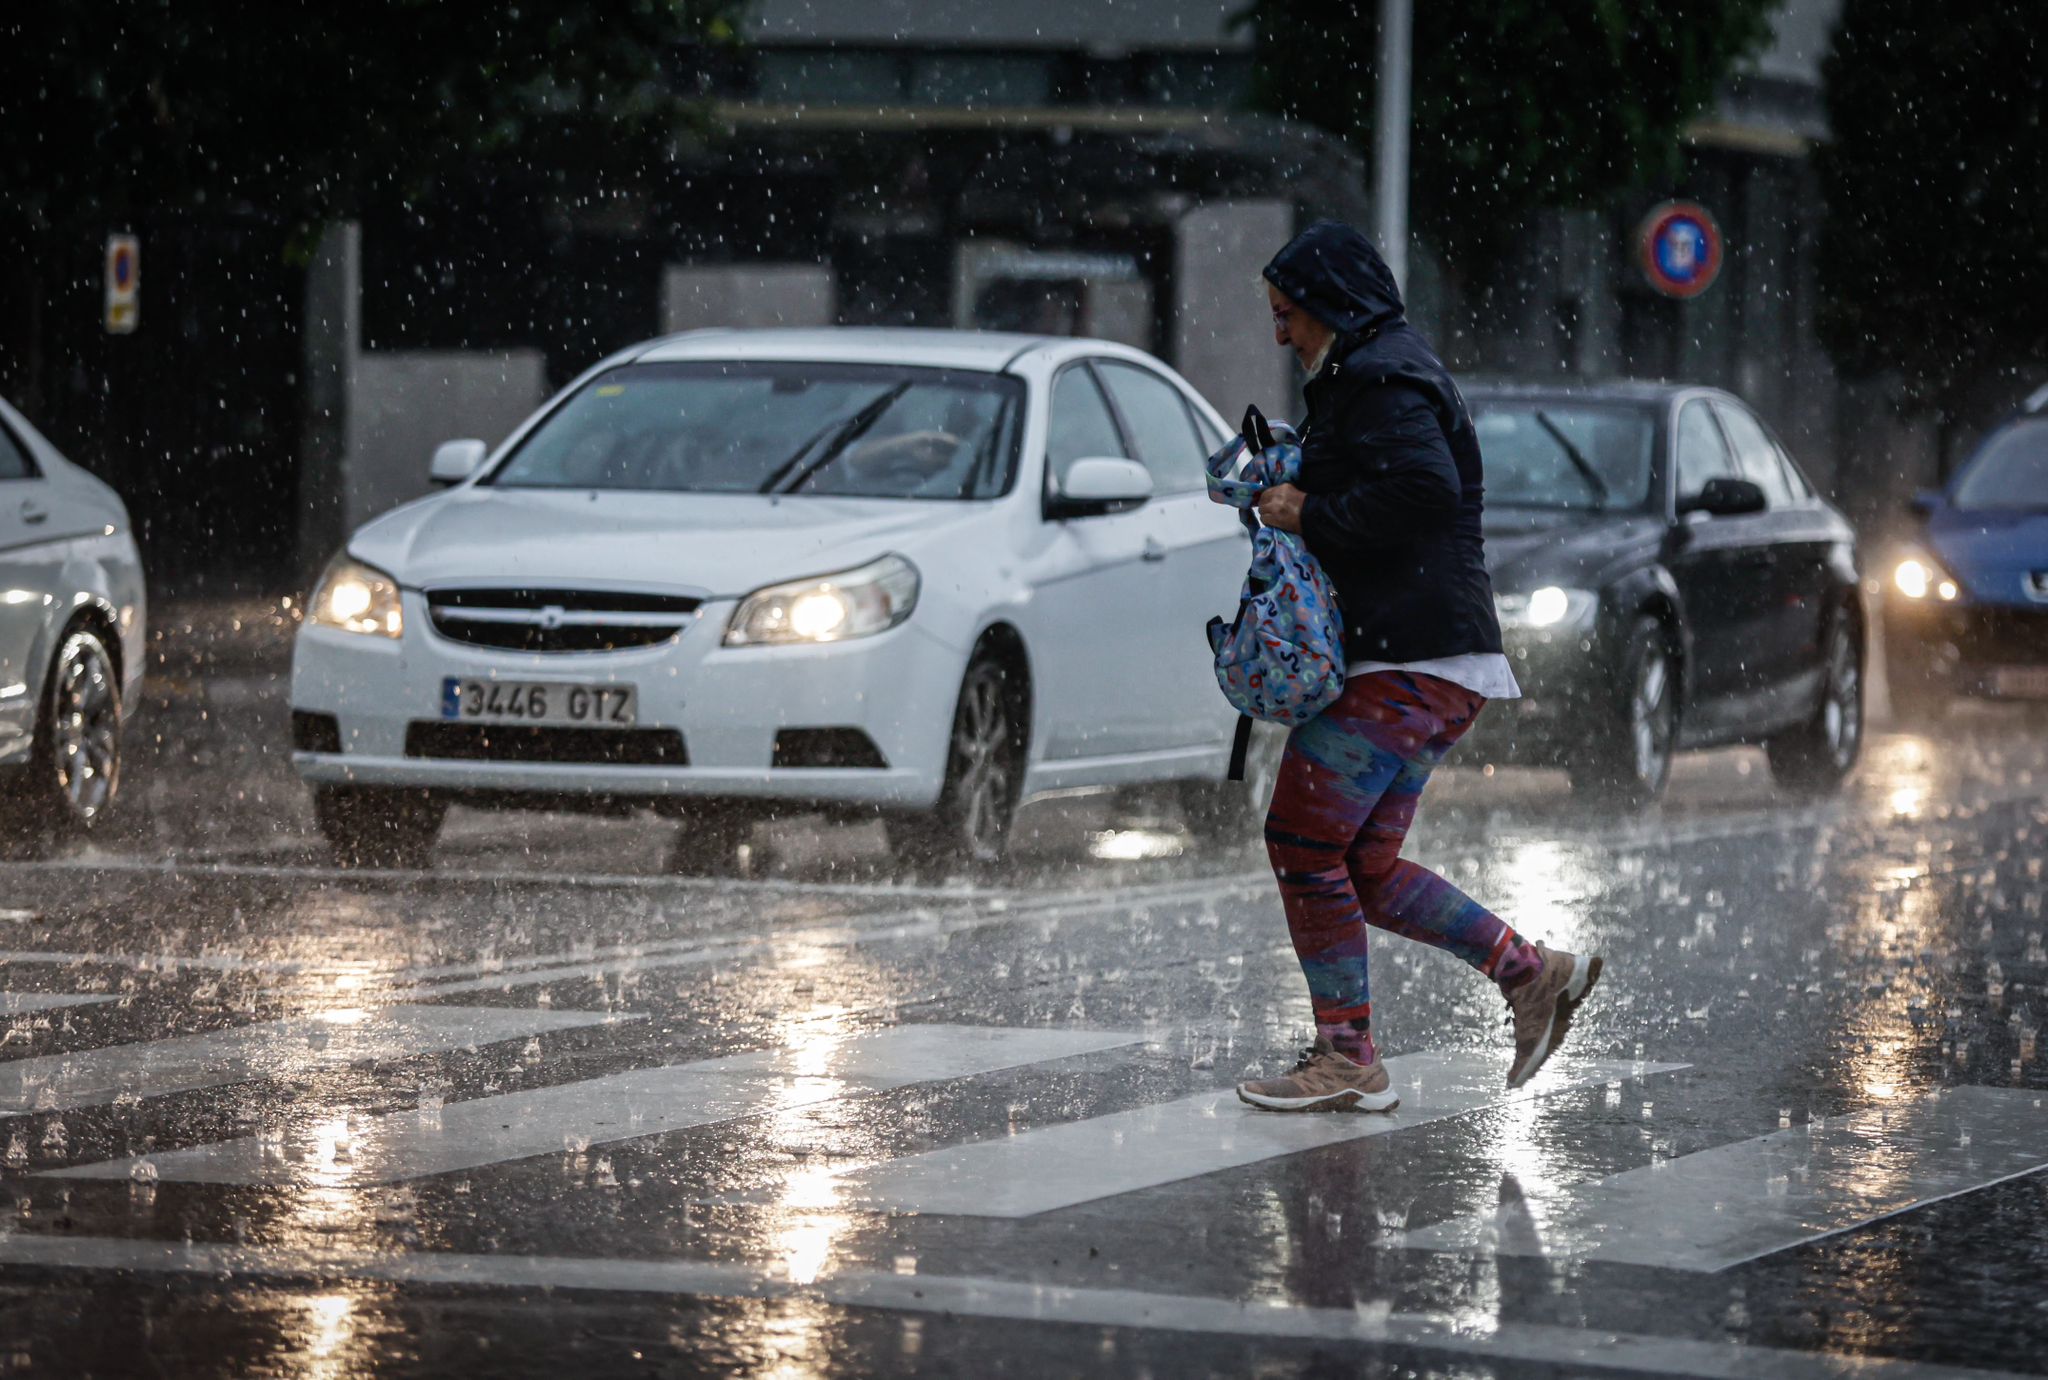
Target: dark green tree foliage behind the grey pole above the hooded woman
(1517,103)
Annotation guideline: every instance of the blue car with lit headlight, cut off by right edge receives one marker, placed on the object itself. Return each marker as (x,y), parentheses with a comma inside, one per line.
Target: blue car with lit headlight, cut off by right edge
(1967,605)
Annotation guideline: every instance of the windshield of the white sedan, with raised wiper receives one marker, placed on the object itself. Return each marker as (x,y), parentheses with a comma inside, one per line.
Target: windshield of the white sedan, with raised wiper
(726,427)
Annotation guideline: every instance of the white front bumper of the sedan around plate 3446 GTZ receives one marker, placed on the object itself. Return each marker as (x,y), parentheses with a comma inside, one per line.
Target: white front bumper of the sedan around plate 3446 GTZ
(726,703)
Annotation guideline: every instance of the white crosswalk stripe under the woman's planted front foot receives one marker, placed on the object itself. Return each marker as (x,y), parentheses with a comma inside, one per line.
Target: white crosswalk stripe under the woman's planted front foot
(1105,1156)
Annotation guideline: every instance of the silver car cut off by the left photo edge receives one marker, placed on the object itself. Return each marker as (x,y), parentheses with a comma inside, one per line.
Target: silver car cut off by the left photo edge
(73,628)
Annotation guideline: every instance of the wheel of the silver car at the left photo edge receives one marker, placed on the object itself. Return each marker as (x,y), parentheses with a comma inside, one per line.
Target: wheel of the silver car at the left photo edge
(75,765)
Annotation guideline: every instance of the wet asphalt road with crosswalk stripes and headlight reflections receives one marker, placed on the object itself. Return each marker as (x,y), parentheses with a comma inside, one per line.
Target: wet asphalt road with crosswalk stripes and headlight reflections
(548,1109)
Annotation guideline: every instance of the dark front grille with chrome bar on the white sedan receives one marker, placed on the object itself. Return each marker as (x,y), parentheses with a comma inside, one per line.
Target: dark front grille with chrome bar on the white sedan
(519,619)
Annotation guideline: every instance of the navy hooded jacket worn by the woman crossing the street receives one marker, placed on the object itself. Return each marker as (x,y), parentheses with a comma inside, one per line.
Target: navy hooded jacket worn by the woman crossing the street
(1390,464)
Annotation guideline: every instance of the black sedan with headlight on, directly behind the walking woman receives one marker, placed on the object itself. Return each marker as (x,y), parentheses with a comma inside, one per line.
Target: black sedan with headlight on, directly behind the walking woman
(1668,578)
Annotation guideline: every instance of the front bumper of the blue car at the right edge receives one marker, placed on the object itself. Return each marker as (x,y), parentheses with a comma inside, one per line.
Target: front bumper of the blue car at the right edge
(1967,648)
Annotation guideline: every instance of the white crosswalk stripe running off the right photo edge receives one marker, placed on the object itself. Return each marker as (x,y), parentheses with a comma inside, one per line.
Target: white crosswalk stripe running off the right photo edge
(1740,1203)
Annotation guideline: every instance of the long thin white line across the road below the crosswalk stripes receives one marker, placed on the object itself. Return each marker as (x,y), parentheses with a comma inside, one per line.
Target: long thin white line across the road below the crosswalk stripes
(1576,1350)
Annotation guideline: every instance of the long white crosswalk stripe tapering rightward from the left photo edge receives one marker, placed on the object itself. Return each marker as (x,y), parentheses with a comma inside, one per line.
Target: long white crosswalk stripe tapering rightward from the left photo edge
(265,1051)
